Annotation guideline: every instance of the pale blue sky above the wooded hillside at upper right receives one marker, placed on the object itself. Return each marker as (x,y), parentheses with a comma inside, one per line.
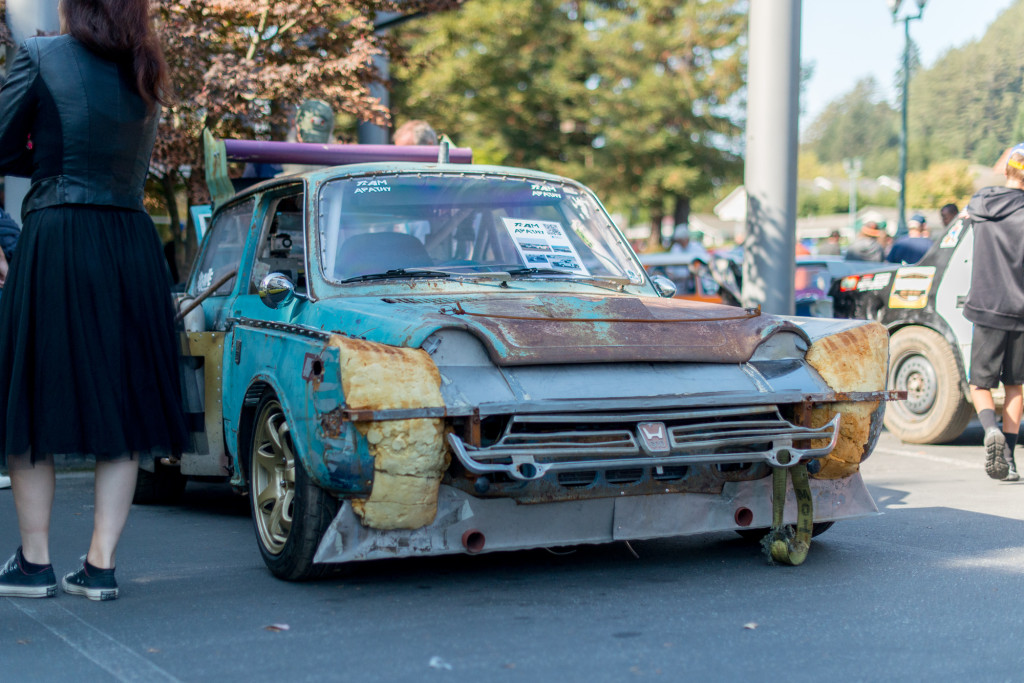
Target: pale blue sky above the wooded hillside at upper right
(847,40)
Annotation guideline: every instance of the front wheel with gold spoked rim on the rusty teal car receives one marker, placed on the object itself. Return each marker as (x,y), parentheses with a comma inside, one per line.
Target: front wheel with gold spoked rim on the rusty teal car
(290,514)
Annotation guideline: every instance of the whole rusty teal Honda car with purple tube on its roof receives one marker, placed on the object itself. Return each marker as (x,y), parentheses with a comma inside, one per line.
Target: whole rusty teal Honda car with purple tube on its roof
(419,358)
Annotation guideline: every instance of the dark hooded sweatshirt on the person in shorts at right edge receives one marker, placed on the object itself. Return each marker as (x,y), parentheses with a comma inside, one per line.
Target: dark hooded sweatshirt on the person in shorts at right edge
(997,296)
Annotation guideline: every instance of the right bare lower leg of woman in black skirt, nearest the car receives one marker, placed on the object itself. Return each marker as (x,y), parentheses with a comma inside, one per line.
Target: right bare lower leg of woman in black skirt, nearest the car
(115,489)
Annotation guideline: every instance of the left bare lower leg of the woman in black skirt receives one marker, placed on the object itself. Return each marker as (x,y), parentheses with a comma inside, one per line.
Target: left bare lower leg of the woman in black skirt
(33,486)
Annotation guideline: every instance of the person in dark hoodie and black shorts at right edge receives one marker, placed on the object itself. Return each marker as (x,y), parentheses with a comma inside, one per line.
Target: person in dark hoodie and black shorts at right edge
(996,306)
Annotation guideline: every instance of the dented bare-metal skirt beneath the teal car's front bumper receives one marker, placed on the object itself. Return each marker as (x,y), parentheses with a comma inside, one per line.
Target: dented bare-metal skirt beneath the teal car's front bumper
(467,525)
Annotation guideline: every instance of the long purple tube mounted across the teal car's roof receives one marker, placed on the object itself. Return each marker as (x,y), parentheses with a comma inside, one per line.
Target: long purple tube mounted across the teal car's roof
(335,155)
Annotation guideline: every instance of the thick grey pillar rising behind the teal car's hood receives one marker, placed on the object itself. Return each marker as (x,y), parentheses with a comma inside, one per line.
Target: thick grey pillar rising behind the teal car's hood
(773,113)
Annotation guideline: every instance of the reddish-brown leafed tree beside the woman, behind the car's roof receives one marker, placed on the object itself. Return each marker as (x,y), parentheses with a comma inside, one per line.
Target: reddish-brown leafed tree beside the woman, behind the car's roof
(238,67)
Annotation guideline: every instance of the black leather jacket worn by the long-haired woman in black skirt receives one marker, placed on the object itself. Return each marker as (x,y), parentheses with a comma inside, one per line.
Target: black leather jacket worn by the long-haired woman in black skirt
(75,123)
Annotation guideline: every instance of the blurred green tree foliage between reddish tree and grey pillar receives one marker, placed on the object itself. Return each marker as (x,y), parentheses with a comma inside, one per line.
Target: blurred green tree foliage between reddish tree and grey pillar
(635,98)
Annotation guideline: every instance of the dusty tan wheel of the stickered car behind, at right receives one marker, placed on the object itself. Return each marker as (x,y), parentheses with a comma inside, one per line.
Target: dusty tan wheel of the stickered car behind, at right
(923,364)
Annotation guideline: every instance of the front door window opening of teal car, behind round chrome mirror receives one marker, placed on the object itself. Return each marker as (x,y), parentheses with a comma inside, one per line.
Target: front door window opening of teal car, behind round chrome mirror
(282,247)
